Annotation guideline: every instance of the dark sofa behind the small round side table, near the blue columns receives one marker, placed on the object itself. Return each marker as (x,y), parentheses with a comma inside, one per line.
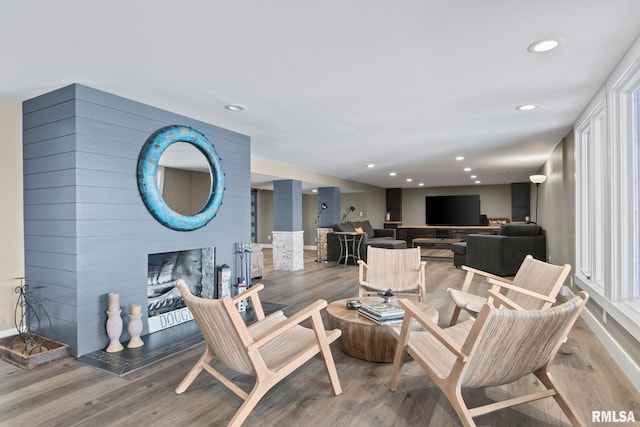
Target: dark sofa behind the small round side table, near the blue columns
(379,237)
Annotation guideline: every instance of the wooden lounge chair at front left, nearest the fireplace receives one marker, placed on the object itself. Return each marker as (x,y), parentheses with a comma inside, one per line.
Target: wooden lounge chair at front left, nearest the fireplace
(269,349)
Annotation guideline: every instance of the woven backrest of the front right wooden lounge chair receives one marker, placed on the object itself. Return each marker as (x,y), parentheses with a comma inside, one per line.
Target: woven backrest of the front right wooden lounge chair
(505,345)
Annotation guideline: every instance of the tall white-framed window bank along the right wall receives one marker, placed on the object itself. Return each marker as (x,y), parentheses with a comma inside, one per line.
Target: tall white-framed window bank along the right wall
(607,195)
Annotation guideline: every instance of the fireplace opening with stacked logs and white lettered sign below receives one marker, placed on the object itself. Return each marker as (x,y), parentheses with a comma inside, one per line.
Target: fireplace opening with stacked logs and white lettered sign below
(165,307)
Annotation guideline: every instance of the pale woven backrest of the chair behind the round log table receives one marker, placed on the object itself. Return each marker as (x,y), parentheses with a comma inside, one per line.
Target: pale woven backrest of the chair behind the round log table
(398,269)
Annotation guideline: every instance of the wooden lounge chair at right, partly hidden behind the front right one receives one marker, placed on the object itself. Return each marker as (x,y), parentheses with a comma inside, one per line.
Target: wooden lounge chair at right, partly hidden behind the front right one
(535,286)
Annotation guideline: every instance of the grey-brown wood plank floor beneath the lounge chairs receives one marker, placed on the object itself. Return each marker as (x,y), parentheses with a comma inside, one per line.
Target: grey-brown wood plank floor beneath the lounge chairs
(68,393)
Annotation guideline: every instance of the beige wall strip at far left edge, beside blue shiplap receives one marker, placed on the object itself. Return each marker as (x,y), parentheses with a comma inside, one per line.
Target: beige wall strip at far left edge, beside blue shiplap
(11,215)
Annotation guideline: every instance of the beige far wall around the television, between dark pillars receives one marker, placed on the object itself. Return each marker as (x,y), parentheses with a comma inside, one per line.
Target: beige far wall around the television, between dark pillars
(495,201)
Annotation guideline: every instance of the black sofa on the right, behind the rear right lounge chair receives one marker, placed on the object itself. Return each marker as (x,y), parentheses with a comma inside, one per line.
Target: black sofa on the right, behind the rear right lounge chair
(502,254)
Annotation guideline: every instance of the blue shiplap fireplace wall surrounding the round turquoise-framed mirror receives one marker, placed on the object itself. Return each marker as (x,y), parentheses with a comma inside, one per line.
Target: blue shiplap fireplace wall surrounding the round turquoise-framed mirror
(87,231)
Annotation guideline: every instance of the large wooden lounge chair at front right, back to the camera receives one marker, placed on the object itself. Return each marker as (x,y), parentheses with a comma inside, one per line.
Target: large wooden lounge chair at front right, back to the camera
(499,347)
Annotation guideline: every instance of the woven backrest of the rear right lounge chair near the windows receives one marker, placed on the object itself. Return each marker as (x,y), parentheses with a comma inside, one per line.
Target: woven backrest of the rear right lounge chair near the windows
(537,276)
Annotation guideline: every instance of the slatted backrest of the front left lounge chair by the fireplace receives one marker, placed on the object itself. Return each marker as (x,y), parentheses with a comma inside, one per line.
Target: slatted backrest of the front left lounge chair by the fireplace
(218,329)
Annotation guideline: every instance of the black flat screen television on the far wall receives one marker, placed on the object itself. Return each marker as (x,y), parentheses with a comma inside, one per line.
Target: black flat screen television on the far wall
(453,210)
